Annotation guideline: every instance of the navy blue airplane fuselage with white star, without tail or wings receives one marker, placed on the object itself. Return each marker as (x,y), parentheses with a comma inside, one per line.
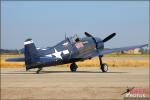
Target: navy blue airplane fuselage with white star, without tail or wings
(67,51)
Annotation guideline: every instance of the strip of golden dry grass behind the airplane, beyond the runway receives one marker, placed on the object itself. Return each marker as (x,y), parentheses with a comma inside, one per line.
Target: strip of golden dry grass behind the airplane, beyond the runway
(88,63)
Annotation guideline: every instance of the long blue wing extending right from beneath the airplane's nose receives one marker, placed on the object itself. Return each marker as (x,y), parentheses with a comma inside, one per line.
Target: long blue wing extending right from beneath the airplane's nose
(122,49)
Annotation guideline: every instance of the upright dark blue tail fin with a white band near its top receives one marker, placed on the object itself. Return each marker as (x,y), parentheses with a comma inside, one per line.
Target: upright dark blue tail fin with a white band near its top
(31,54)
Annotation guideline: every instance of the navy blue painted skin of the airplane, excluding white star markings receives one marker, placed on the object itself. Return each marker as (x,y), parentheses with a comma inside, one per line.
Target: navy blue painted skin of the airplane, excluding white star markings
(35,58)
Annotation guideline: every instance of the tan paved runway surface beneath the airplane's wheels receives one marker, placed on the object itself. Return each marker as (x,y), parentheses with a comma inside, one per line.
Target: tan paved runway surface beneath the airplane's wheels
(60,83)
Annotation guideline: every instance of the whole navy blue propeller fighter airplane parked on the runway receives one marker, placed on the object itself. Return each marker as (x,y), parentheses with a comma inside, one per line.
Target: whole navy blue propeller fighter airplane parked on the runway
(70,50)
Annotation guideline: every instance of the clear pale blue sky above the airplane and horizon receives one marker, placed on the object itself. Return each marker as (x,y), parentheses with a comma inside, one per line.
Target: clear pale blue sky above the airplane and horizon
(47,22)
